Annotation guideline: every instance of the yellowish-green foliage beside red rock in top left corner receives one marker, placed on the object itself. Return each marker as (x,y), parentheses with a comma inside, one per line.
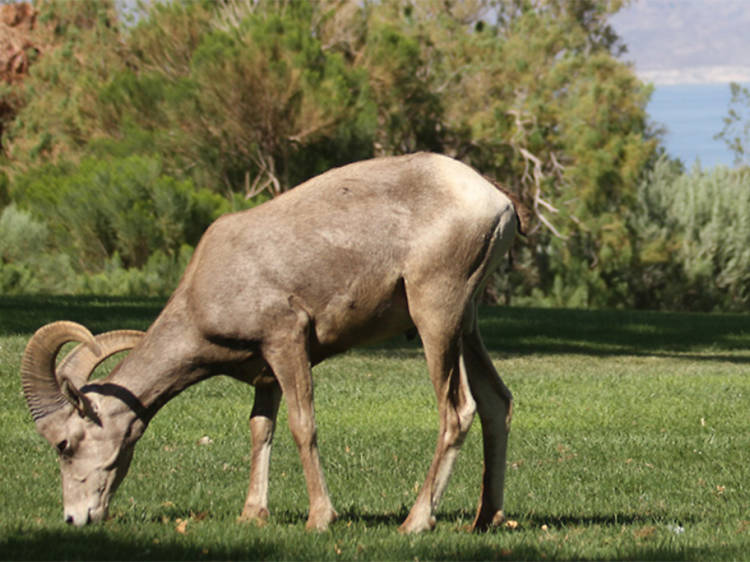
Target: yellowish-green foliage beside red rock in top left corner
(81,48)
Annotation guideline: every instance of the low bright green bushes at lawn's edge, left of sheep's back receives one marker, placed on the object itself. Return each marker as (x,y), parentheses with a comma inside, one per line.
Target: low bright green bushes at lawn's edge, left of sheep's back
(116,226)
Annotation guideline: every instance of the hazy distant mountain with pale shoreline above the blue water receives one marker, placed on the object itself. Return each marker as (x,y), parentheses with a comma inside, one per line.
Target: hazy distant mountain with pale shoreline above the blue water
(687,41)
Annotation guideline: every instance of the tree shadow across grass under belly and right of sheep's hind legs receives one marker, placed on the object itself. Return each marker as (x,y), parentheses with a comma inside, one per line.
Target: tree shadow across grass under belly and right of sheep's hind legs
(535,331)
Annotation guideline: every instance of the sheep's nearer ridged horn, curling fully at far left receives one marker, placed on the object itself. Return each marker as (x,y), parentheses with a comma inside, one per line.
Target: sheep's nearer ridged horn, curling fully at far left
(40,386)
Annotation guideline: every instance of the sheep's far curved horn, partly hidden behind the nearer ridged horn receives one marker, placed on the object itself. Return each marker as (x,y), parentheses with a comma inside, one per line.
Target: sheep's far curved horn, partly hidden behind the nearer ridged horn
(80,363)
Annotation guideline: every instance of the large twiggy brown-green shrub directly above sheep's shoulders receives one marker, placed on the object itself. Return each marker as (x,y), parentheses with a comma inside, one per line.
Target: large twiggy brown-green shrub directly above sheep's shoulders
(250,100)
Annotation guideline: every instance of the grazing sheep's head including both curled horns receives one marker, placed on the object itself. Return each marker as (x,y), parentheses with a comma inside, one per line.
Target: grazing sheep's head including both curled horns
(94,447)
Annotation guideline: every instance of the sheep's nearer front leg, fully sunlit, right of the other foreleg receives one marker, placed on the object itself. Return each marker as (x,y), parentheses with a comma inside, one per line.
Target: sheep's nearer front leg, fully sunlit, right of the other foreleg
(287,355)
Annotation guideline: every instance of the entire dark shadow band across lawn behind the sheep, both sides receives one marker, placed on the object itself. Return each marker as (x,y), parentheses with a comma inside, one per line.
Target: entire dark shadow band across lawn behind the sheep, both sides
(505,330)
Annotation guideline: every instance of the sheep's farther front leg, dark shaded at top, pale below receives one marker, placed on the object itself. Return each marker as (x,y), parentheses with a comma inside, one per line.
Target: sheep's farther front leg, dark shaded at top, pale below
(262,425)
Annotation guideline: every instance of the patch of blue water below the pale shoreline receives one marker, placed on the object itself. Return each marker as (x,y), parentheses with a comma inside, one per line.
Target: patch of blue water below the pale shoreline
(692,114)
